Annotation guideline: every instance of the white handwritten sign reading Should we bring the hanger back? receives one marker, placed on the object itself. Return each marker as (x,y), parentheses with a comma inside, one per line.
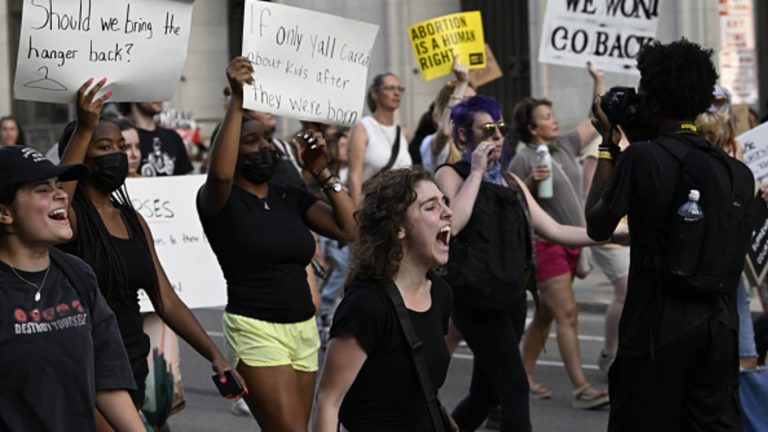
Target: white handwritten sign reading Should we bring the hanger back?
(139,45)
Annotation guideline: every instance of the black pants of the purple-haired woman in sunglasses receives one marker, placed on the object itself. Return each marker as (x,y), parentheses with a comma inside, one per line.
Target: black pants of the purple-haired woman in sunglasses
(498,376)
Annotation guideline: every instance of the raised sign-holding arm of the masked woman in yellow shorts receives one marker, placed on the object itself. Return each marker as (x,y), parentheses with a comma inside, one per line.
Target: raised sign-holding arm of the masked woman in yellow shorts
(221,166)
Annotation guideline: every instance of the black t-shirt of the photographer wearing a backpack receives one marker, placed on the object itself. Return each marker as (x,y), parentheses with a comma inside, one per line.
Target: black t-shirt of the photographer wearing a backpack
(643,186)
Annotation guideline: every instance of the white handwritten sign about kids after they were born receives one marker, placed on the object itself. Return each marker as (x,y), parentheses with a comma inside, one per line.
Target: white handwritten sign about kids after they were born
(307,65)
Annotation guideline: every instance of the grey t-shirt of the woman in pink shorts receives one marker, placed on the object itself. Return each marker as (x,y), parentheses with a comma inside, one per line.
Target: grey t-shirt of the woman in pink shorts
(567,204)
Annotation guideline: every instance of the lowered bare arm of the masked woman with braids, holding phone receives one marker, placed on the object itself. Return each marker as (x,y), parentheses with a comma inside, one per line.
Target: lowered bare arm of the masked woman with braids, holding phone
(177,315)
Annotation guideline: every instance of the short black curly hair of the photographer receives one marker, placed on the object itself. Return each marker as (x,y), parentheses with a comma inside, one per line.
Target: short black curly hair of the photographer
(679,76)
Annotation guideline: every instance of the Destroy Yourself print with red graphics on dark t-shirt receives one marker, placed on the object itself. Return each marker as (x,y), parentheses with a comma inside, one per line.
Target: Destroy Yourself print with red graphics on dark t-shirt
(51,319)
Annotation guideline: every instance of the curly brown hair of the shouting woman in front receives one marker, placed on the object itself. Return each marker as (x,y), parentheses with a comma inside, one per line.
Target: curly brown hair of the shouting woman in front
(377,252)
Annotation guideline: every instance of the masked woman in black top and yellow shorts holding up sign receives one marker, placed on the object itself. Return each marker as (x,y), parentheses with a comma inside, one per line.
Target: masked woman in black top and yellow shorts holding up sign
(260,234)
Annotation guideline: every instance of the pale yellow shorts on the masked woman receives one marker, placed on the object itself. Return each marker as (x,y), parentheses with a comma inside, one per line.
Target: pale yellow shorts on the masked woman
(263,344)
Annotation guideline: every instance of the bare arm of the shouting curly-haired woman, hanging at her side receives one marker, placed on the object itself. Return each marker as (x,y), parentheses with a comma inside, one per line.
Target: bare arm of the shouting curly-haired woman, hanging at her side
(343,362)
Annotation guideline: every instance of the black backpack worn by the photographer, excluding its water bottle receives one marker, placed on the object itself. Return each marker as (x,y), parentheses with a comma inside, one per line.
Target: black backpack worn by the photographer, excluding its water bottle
(727,189)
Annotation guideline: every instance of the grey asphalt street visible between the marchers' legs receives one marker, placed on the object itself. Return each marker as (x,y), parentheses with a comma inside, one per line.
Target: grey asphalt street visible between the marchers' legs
(206,411)
